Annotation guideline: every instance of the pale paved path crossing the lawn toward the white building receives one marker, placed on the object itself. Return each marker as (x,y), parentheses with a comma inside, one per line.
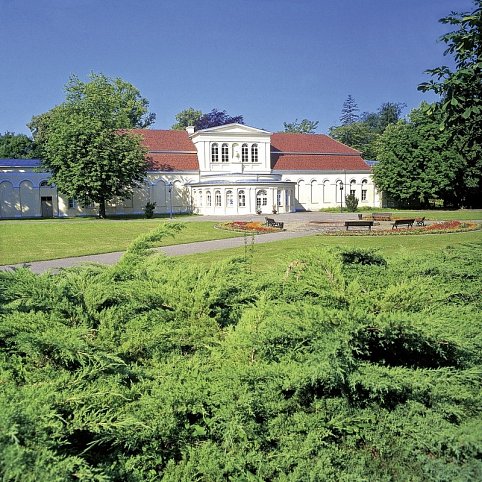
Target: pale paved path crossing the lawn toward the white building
(297,225)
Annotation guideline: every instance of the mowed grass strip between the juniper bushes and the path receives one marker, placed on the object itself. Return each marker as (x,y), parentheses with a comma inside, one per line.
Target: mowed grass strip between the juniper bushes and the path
(278,255)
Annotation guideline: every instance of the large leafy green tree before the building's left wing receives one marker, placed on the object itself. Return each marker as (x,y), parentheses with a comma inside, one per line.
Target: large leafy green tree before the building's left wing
(85,143)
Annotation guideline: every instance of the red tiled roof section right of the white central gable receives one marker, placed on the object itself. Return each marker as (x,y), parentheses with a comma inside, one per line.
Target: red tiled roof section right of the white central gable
(310,152)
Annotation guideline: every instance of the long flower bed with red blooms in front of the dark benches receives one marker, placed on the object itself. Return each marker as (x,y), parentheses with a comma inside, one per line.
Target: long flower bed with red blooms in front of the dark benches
(436,228)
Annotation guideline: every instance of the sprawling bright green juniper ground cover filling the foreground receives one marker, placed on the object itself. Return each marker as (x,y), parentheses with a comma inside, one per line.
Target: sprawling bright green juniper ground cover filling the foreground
(344,366)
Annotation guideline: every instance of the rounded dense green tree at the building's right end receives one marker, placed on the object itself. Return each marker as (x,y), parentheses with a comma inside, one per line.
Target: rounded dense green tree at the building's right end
(415,165)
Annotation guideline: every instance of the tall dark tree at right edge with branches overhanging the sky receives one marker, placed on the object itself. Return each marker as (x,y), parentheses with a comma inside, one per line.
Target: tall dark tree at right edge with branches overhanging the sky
(460,107)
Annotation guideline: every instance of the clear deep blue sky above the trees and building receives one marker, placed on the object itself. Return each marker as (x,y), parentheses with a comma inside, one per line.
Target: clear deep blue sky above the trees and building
(269,60)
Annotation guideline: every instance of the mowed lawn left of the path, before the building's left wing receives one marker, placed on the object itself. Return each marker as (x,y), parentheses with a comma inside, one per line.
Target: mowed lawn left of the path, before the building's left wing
(29,240)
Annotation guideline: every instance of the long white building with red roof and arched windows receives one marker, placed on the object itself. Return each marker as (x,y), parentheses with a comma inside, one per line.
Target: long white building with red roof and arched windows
(230,169)
